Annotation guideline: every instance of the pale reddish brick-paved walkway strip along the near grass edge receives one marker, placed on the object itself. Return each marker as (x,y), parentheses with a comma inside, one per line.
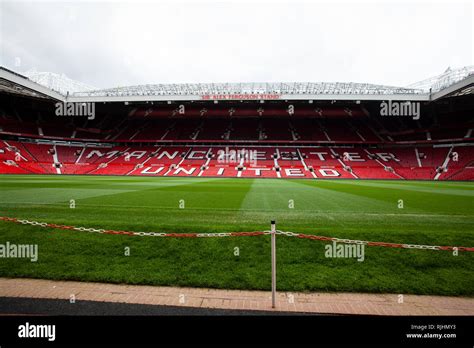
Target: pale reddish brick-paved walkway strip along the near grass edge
(327,303)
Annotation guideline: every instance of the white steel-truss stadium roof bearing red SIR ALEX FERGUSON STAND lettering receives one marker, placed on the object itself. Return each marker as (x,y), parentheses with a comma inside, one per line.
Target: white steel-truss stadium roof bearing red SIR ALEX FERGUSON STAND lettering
(451,81)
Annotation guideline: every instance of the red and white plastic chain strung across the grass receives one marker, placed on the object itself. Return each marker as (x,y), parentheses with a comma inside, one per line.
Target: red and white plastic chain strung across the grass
(237,234)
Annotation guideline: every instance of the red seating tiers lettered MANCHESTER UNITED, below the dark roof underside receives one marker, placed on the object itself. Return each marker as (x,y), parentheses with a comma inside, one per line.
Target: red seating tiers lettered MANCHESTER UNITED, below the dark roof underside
(307,147)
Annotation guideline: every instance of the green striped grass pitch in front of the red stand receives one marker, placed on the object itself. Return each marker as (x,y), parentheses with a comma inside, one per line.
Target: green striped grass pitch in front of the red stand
(411,212)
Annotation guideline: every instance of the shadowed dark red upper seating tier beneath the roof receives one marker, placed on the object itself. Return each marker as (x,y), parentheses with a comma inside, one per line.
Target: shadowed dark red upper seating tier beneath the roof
(257,124)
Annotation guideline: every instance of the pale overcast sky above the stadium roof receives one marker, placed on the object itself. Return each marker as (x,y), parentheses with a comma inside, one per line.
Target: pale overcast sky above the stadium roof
(108,44)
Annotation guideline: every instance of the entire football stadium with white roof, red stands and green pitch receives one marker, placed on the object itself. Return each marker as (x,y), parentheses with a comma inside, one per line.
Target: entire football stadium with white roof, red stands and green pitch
(89,174)
